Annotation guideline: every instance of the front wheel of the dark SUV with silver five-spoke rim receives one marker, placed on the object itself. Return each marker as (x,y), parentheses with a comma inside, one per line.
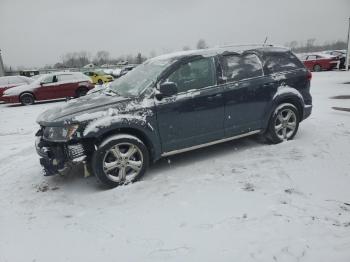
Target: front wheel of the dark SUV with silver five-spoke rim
(119,160)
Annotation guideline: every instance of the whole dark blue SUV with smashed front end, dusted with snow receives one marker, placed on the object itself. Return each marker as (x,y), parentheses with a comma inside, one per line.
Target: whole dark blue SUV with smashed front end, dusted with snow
(176,103)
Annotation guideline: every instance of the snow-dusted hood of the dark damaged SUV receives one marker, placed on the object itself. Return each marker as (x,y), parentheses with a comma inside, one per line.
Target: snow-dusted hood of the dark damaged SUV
(83,109)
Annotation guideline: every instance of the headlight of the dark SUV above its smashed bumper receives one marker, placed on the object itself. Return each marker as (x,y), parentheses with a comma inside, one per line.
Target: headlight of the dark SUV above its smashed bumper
(59,134)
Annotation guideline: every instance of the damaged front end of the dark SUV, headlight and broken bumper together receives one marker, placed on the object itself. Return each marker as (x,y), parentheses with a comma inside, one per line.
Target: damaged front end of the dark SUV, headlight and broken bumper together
(57,154)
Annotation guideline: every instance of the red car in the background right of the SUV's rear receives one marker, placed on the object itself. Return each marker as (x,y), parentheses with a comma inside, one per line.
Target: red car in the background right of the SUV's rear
(319,62)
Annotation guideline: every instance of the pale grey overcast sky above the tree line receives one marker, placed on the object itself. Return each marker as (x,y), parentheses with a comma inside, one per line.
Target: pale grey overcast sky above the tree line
(38,32)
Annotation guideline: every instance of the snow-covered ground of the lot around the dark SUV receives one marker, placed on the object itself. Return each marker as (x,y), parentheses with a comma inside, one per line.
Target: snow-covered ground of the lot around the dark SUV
(239,201)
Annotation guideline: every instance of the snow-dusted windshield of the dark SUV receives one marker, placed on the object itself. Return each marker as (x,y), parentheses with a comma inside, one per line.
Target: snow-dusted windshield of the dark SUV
(137,80)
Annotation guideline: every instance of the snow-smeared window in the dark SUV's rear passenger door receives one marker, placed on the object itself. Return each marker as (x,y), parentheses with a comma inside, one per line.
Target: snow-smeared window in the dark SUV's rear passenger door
(239,67)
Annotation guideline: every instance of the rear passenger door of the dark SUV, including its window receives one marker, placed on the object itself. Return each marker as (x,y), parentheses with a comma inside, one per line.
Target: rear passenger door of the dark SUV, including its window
(247,92)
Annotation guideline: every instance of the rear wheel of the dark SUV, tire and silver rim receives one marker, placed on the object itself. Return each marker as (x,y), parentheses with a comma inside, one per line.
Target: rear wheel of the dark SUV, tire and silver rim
(284,123)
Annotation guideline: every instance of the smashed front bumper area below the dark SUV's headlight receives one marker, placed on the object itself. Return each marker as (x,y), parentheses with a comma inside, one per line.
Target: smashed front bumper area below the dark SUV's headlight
(55,158)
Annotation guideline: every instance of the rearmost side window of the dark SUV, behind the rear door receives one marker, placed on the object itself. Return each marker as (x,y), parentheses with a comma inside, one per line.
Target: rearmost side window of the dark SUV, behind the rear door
(279,62)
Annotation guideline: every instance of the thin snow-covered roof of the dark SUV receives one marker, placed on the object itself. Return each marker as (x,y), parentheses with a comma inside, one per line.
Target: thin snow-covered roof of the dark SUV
(222,50)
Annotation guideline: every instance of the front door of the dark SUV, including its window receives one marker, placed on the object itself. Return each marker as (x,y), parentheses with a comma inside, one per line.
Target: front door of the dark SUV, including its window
(195,114)
